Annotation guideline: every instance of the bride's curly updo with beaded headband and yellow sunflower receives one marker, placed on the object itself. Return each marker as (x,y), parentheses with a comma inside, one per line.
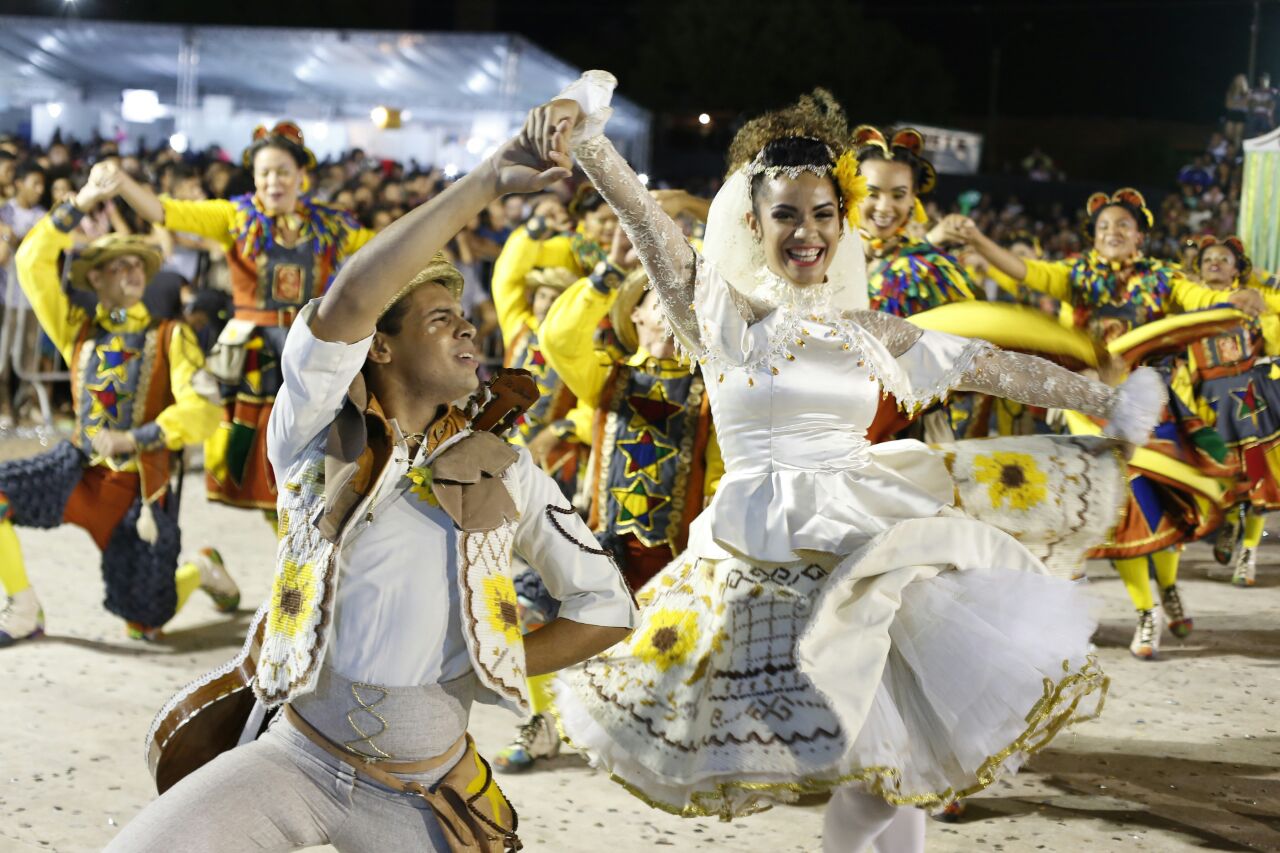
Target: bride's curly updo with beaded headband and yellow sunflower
(816,118)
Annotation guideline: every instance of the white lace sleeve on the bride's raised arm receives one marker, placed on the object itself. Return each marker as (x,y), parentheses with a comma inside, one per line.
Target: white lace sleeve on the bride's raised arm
(668,257)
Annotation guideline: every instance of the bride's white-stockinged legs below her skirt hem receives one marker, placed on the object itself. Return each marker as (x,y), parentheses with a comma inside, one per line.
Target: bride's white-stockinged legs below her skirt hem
(861,823)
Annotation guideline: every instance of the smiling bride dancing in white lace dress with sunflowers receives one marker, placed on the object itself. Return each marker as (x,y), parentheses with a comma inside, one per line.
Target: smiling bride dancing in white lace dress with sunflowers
(834,626)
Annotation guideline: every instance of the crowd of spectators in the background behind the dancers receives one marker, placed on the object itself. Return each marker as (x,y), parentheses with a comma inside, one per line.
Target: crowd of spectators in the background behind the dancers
(1205,200)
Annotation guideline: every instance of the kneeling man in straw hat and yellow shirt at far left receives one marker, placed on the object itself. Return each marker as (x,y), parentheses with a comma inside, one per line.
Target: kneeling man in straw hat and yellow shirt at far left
(140,396)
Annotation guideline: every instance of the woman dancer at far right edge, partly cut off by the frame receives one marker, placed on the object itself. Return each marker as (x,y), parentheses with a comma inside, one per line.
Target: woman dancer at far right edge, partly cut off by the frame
(1233,402)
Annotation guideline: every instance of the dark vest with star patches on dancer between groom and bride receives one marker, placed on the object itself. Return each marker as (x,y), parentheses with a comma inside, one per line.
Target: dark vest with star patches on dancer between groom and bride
(648,458)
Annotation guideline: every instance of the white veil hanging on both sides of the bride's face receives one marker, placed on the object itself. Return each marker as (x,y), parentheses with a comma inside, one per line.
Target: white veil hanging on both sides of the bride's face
(733,249)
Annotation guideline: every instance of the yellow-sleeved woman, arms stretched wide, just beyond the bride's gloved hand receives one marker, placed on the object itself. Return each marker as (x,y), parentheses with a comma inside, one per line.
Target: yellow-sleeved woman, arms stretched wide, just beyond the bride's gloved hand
(1114,290)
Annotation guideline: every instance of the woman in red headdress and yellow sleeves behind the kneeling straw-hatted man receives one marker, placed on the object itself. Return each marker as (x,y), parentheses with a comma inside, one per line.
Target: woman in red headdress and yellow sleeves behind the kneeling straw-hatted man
(287,250)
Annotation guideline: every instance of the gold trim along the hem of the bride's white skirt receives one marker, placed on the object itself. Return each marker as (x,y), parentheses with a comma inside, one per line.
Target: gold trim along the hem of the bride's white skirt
(1048,718)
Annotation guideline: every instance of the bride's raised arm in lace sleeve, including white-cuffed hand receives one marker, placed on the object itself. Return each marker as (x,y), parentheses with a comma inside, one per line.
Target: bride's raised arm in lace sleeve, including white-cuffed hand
(661,245)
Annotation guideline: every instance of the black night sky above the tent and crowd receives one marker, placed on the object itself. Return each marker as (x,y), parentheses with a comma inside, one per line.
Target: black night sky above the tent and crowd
(961,65)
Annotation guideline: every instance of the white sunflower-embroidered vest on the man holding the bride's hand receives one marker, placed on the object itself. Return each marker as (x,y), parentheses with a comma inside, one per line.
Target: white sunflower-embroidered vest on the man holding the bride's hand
(323,492)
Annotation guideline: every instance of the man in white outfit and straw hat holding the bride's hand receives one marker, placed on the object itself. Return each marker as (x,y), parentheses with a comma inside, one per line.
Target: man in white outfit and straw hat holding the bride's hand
(394,605)
